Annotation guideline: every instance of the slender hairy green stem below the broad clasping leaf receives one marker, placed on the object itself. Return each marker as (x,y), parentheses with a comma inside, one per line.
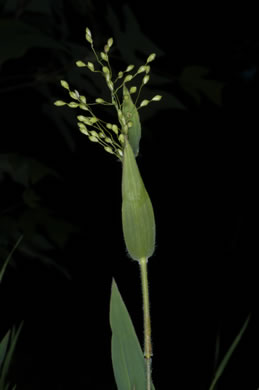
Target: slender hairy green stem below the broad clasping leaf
(147,322)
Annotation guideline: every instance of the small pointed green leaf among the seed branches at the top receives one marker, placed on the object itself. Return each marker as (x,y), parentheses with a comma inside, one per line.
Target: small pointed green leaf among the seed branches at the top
(131,114)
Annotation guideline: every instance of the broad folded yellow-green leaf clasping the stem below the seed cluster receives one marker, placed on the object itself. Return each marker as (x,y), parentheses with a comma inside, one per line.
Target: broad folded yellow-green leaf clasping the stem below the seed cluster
(138,220)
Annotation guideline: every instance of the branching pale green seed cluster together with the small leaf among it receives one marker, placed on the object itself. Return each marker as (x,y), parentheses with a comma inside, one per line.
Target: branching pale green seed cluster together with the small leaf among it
(111,136)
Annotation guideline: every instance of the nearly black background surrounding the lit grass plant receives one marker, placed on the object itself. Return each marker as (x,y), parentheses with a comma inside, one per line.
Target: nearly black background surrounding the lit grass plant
(198,159)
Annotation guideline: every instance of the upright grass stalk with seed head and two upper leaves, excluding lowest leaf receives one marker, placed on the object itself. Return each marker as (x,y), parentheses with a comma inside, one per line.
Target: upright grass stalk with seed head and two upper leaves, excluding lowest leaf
(122,139)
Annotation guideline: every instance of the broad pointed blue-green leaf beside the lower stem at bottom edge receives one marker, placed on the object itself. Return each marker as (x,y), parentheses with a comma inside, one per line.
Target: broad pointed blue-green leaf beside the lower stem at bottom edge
(127,357)
